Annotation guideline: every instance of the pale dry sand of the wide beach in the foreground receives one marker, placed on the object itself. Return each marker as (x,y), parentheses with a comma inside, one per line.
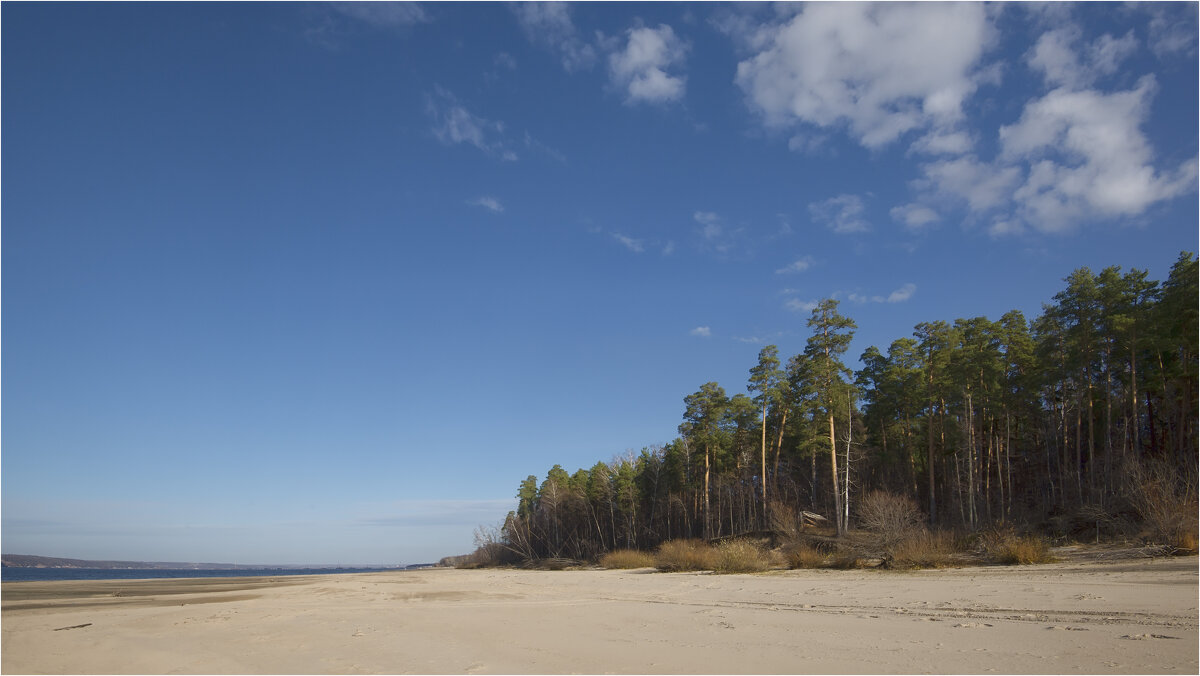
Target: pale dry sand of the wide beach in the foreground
(1115,618)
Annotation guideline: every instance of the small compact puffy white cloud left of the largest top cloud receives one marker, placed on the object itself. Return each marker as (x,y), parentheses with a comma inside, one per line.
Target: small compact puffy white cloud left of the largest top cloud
(640,70)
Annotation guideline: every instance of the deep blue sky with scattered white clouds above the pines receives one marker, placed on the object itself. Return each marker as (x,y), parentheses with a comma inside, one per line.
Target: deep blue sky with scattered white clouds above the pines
(325,283)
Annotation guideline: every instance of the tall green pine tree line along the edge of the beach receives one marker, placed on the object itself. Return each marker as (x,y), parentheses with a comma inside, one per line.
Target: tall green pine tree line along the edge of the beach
(1045,423)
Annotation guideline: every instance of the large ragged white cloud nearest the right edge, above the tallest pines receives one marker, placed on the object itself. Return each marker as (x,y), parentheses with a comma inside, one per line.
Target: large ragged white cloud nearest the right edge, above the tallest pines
(1072,157)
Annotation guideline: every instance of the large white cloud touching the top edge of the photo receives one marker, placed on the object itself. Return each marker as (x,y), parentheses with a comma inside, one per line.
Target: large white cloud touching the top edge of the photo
(881,70)
